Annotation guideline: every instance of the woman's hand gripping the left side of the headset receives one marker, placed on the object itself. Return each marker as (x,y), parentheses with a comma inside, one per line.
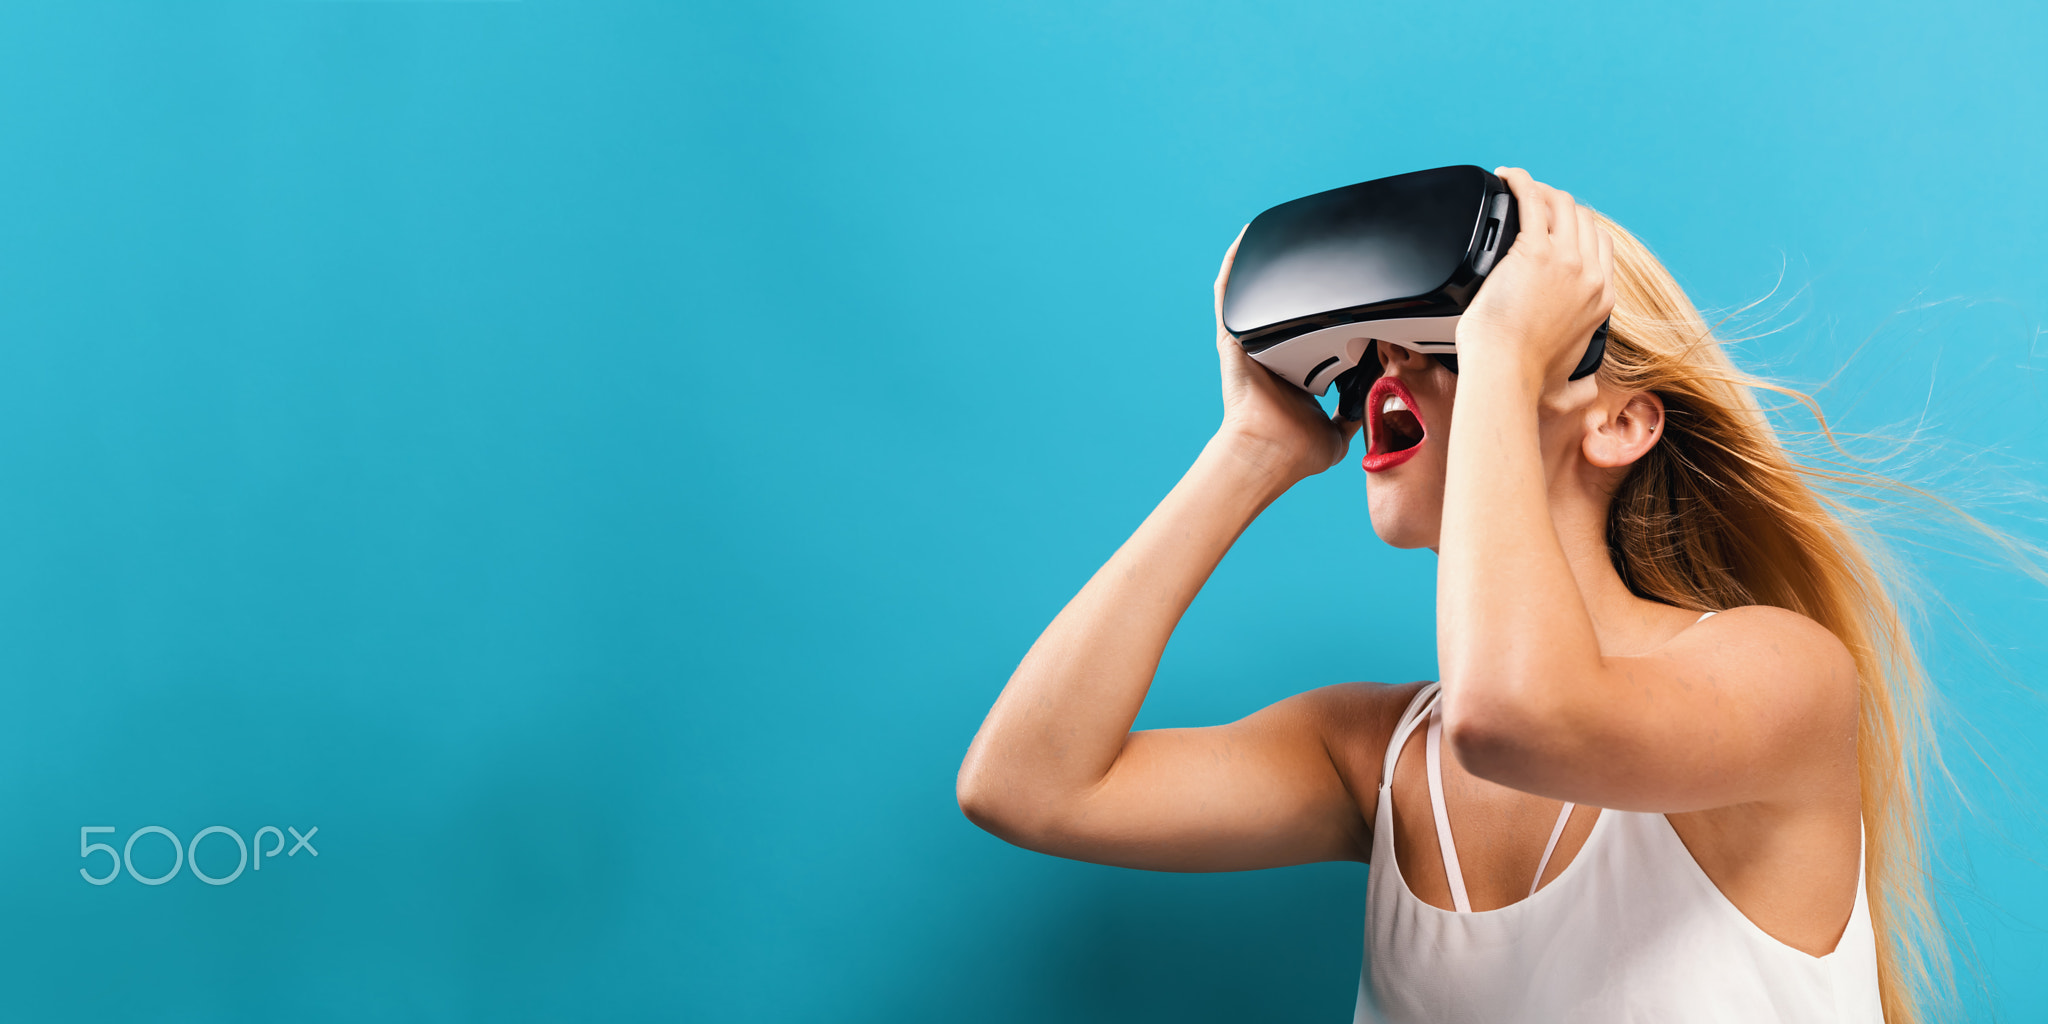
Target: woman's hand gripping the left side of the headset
(1269,419)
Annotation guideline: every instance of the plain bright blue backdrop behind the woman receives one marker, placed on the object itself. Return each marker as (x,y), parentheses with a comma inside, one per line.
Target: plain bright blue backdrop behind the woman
(599,464)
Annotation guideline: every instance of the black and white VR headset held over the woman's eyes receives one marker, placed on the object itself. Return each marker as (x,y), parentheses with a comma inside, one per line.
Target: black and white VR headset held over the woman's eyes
(1396,261)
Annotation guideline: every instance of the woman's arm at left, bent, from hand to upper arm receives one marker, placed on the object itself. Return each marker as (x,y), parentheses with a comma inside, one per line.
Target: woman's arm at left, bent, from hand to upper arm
(1056,765)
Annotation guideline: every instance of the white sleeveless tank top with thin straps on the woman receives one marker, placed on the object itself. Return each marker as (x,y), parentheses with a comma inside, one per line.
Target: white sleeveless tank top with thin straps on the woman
(1631,931)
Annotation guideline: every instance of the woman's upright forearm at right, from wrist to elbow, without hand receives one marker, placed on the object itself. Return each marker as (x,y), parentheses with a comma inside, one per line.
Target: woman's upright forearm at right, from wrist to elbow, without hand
(1510,617)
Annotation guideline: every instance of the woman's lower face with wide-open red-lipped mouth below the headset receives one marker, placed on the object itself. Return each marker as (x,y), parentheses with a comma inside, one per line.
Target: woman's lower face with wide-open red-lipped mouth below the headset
(1408,425)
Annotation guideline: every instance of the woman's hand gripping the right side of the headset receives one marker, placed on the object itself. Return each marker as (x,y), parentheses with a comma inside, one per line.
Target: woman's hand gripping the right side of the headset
(1541,304)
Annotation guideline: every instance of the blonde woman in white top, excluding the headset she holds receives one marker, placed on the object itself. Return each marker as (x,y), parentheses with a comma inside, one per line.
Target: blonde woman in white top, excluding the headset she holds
(1670,769)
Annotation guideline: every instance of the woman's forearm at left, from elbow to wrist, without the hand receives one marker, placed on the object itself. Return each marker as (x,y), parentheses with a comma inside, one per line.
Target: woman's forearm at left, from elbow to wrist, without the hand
(1062,722)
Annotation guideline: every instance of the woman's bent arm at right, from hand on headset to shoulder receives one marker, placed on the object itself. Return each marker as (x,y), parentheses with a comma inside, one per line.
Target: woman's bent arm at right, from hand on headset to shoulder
(1752,706)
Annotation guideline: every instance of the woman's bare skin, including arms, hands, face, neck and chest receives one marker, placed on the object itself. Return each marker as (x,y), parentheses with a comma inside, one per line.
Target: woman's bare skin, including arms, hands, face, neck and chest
(1560,685)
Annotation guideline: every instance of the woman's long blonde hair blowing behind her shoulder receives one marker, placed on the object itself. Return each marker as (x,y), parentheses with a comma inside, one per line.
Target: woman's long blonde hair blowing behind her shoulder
(1723,515)
